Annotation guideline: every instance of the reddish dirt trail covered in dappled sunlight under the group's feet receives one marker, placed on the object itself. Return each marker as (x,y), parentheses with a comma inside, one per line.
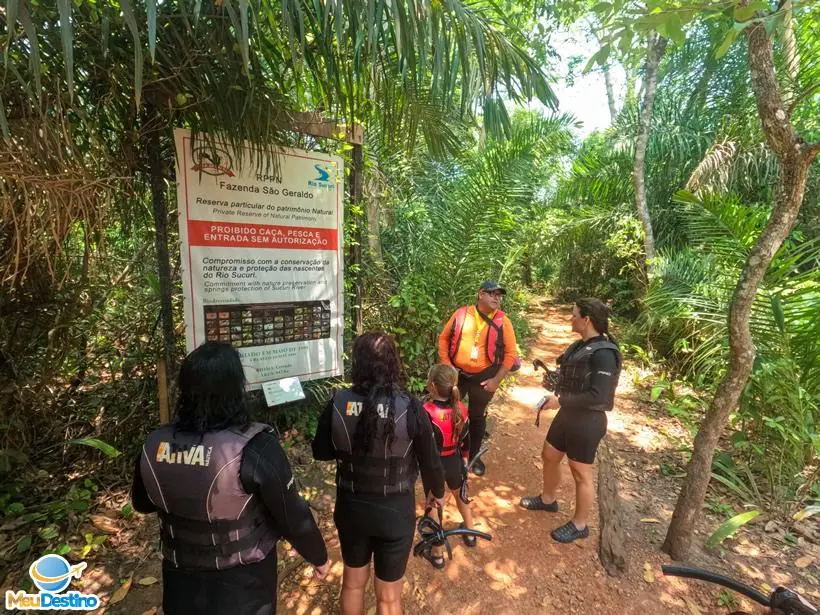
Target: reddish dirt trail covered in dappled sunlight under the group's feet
(522,570)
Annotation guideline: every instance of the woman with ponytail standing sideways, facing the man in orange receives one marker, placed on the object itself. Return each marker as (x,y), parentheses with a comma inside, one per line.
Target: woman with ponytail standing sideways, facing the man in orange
(587,378)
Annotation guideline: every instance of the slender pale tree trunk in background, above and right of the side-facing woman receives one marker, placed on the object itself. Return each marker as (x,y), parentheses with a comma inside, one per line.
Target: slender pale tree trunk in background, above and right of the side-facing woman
(656,45)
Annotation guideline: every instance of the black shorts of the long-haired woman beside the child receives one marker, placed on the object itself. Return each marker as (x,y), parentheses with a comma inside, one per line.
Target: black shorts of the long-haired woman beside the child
(378,529)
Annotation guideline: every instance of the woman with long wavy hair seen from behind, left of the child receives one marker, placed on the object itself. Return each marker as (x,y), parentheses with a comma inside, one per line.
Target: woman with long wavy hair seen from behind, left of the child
(380,437)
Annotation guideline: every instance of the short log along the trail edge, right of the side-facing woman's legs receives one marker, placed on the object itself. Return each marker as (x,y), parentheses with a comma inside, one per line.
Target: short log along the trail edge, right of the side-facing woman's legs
(611,549)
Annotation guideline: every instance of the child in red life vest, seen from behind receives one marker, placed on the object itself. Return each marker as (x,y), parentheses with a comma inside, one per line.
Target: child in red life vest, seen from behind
(450,428)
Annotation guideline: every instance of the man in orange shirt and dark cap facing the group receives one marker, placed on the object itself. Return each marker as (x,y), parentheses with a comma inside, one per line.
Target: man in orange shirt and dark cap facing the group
(479,341)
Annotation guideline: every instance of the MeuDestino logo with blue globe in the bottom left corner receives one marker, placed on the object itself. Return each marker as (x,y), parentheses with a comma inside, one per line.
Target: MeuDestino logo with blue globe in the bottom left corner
(52,574)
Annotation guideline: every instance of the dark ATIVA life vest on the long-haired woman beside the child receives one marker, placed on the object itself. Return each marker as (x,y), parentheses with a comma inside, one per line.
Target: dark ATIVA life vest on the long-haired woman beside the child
(384,470)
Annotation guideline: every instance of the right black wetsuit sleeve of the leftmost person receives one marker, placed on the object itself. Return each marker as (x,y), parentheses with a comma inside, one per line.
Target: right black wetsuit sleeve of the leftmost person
(265,471)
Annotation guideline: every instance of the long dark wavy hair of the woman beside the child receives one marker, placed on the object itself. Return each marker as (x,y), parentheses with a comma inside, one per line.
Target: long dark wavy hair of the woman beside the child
(377,375)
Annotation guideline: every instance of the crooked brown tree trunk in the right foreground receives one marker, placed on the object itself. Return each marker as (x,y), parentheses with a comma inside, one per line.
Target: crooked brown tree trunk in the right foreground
(794,157)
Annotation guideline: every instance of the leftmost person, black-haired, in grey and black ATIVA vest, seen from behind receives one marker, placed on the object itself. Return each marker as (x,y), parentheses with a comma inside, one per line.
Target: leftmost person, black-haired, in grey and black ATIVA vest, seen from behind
(225,495)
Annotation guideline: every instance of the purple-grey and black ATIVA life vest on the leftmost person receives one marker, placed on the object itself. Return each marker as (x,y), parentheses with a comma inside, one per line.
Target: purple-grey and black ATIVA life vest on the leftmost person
(208,520)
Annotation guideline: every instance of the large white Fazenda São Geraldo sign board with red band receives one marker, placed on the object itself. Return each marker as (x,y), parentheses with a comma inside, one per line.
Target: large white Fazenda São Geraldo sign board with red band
(261,257)
